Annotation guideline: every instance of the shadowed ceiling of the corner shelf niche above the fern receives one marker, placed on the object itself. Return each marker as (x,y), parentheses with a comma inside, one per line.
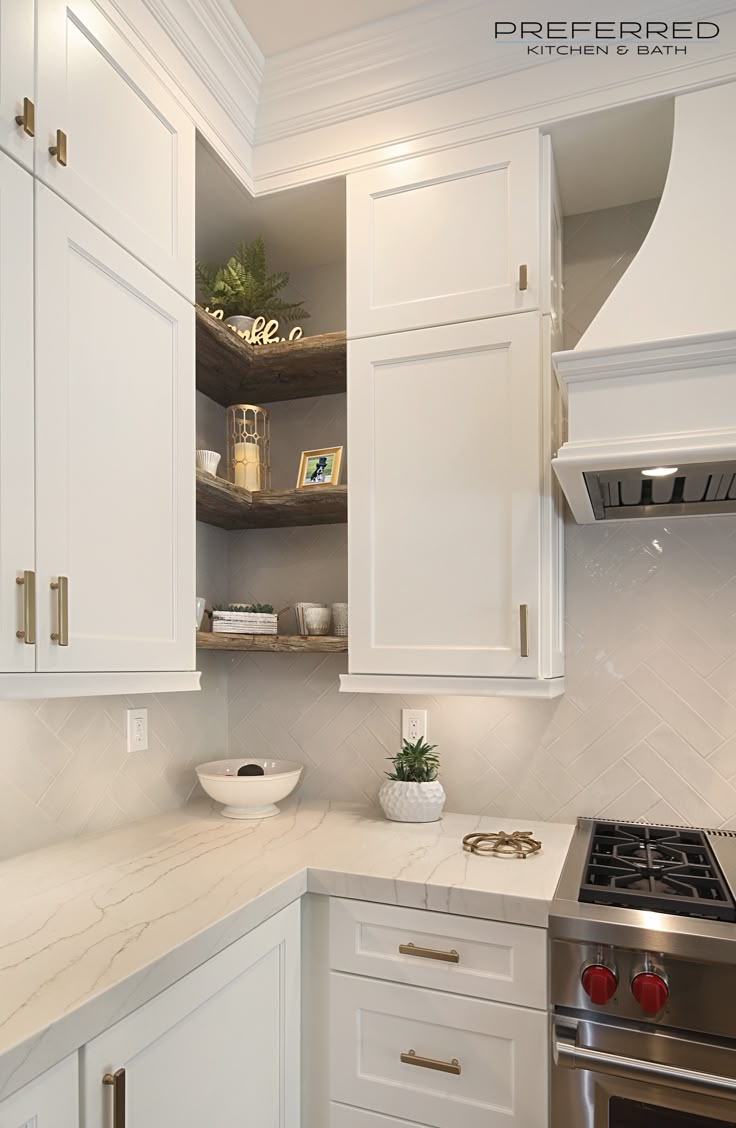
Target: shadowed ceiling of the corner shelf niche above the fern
(302,228)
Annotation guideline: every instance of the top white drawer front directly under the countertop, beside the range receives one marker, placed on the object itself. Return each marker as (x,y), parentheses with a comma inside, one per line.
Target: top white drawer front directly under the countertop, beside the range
(486,959)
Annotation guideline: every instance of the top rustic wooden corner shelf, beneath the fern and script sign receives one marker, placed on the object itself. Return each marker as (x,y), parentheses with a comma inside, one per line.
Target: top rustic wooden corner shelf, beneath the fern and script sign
(230,371)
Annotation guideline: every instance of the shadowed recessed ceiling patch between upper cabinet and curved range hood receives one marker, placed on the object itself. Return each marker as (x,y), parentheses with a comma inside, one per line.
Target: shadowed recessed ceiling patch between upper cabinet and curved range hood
(614,158)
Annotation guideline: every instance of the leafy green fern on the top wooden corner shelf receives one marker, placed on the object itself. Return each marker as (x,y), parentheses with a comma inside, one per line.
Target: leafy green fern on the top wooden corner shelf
(244,290)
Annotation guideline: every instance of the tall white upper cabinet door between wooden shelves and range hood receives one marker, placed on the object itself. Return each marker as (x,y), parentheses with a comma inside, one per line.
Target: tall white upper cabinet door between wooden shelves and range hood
(444,528)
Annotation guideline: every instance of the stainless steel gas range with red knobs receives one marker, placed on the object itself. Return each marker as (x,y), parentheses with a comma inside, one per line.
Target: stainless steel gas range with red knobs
(643,966)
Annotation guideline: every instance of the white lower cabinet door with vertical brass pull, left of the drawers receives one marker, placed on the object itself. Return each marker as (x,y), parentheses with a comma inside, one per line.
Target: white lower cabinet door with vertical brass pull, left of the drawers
(220,1048)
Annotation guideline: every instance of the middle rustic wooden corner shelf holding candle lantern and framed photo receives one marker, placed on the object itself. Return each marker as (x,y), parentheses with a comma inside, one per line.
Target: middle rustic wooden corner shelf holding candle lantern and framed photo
(229,507)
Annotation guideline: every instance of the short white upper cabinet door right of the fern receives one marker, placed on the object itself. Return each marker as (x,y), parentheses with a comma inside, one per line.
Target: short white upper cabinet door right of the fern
(442,239)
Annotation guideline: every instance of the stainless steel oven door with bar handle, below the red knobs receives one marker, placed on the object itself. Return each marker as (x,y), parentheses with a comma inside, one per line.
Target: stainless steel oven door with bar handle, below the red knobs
(620,1076)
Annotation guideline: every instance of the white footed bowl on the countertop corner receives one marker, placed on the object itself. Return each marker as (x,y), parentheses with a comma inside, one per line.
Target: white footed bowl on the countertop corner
(249,797)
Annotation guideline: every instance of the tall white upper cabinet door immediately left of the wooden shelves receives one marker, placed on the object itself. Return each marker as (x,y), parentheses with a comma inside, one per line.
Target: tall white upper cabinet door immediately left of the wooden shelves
(115,443)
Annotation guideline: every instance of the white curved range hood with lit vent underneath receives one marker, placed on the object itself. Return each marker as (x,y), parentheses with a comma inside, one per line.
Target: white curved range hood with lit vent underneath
(652,385)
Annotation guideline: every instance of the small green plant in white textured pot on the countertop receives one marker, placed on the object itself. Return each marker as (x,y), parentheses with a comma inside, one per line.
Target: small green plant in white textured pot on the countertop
(413,792)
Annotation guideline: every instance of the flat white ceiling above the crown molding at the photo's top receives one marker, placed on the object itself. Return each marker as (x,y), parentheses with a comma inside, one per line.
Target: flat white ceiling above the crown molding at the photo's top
(278,25)
